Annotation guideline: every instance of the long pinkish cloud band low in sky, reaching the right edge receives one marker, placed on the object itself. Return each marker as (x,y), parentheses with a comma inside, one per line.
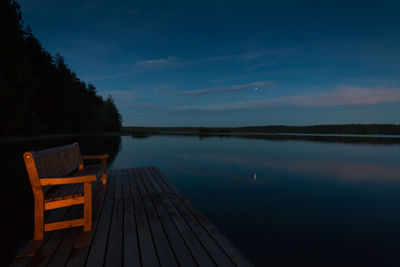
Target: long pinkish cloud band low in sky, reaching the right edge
(342,96)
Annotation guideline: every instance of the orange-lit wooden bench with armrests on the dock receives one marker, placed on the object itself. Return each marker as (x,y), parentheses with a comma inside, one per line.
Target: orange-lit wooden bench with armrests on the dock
(56,169)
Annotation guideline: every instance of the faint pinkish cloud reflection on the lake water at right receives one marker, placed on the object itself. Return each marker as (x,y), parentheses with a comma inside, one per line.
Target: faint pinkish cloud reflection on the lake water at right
(340,170)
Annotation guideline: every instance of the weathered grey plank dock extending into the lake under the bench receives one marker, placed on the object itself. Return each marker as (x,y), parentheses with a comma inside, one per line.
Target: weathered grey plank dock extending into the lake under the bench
(140,219)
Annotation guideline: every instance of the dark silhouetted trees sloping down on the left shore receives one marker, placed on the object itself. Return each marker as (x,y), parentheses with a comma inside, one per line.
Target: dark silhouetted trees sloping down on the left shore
(39,94)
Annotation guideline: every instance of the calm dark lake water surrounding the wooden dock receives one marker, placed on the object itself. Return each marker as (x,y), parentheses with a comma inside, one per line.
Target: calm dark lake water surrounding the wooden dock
(282,201)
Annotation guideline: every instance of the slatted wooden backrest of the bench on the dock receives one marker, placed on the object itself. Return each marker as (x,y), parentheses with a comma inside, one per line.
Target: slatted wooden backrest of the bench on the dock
(50,163)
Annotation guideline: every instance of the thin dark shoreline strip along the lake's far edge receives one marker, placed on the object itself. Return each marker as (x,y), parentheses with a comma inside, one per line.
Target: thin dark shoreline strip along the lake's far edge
(386,131)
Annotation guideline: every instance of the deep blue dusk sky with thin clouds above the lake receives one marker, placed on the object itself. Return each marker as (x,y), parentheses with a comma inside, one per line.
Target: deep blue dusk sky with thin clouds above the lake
(231,63)
